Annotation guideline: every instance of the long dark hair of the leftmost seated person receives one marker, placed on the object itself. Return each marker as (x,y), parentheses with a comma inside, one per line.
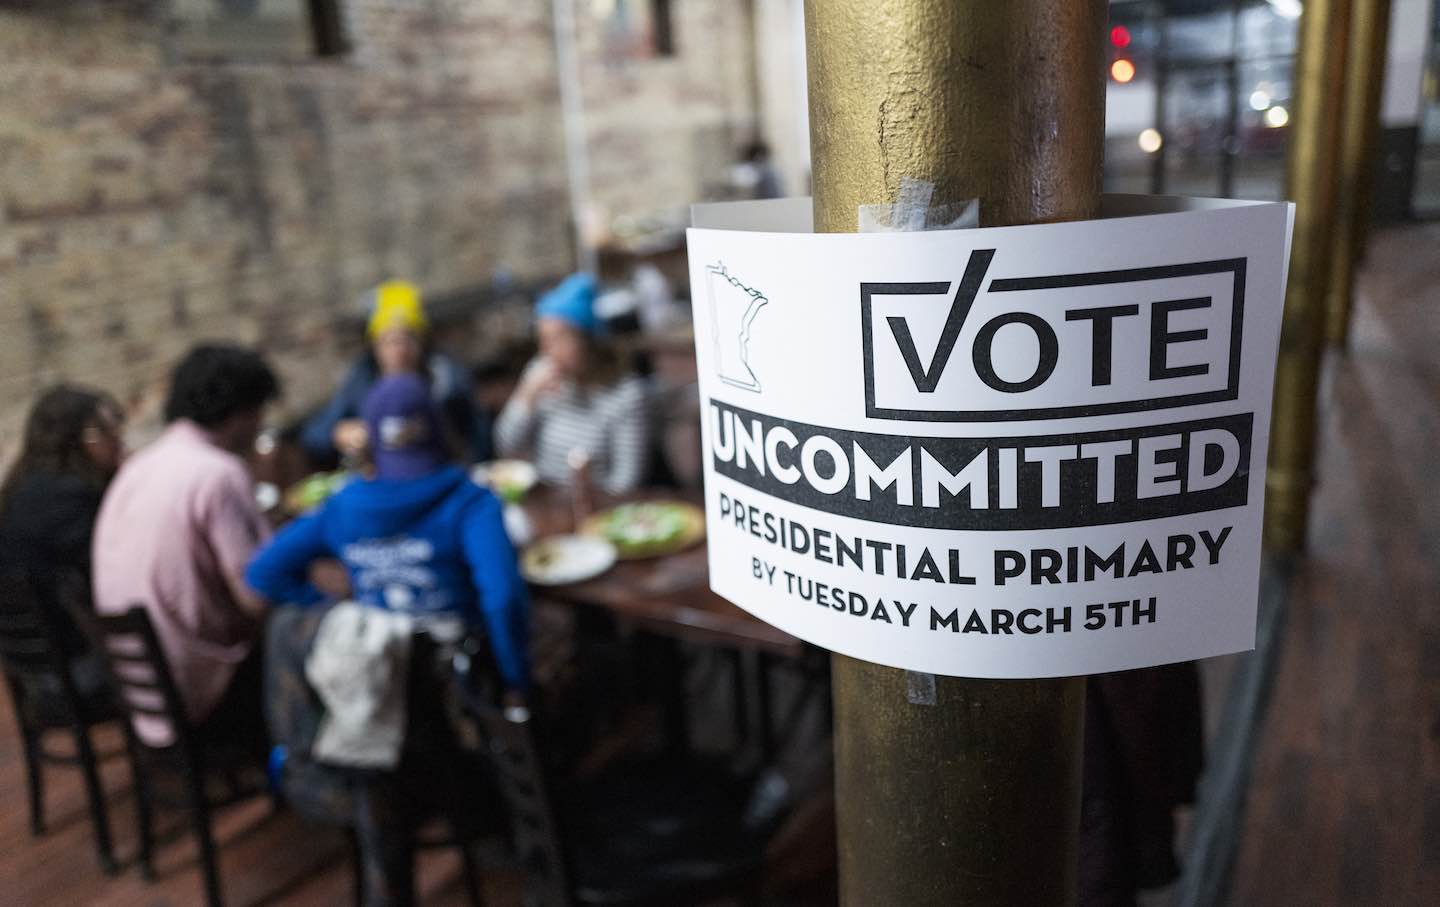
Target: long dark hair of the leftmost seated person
(54,436)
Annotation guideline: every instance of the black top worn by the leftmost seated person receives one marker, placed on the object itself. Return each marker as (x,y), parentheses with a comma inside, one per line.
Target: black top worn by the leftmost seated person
(45,543)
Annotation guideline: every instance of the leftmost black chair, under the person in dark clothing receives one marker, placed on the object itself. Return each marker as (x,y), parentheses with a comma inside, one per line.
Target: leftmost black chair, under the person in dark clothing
(50,700)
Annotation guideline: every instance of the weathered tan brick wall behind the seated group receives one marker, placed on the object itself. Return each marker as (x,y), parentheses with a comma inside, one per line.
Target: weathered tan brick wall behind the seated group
(149,199)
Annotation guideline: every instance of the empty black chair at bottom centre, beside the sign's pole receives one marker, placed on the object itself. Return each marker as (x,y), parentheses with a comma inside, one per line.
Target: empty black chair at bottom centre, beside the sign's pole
(654,833)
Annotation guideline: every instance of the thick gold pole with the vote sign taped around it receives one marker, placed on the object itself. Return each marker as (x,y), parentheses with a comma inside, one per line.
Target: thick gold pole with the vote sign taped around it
(967,793)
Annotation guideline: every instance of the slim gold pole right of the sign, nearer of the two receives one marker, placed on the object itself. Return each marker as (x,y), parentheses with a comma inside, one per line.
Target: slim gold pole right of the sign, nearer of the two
(1313,171)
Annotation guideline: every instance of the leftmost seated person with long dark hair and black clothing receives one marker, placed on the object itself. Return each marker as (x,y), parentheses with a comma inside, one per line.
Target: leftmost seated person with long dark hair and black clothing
(73,446)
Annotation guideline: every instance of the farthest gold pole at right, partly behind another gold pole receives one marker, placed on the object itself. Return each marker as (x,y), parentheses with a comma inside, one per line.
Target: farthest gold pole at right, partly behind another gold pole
(1360,133)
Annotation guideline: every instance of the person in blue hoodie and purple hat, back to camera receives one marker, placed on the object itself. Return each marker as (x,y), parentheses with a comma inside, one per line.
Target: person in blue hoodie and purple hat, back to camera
(418,539)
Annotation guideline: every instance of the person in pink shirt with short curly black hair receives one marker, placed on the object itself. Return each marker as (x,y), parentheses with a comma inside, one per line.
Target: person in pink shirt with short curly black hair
(176,529)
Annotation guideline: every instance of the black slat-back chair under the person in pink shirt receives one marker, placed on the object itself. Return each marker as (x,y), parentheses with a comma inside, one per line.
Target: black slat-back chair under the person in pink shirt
(148,692)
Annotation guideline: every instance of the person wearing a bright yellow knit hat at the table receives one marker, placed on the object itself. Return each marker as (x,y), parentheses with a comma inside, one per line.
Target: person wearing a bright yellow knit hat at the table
(398,333)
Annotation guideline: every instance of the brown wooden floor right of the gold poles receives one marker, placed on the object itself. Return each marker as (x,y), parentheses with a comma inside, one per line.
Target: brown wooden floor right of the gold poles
(1346,798)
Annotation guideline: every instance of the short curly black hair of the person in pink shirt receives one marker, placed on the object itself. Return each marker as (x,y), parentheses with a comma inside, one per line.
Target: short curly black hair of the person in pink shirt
(214,382)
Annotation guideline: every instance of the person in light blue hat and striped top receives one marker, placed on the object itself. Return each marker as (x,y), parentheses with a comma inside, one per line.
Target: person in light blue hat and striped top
(578,401)
